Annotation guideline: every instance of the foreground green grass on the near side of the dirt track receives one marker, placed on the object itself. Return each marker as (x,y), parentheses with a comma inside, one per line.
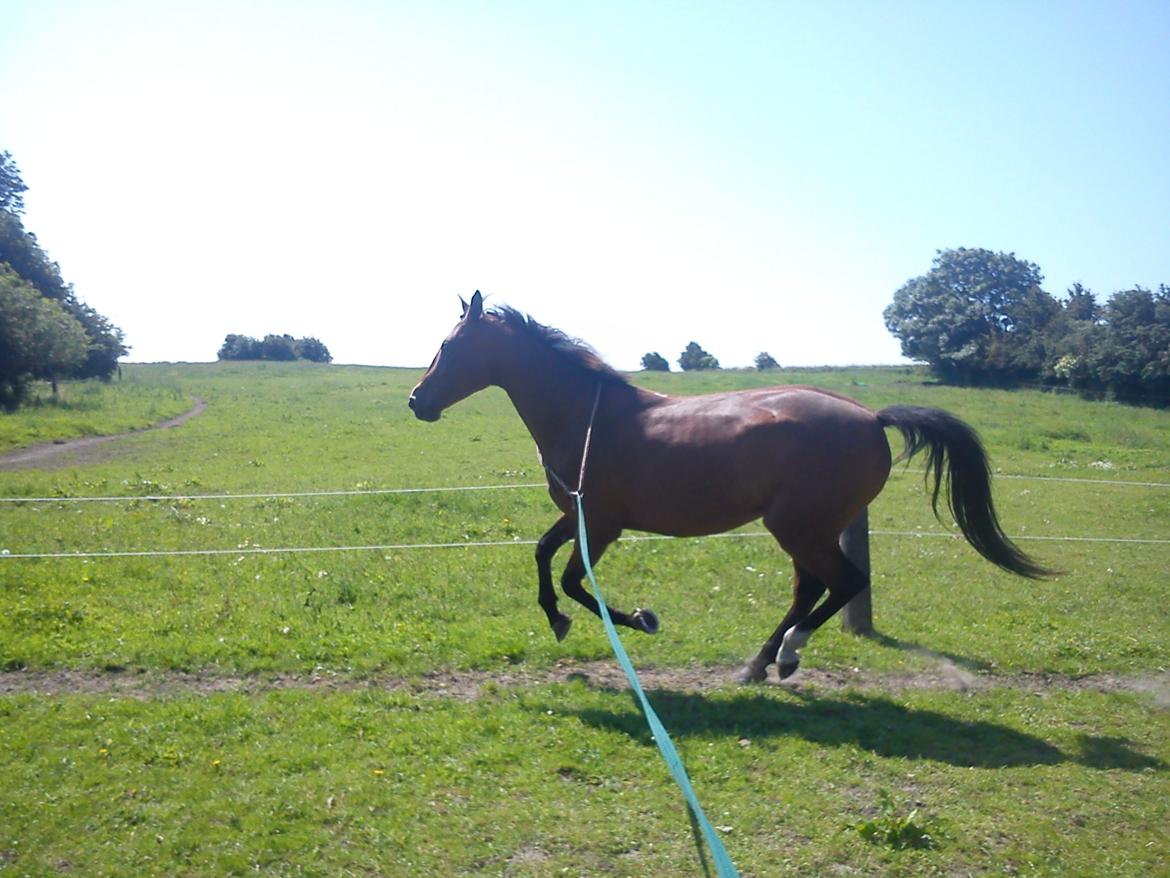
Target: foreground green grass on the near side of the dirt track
(556,780)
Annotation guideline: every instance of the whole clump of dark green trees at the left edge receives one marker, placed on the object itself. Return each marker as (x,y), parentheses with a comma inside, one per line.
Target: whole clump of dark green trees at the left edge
(46,332)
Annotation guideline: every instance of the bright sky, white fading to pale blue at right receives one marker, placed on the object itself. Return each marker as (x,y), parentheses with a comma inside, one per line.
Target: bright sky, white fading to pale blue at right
(751,176)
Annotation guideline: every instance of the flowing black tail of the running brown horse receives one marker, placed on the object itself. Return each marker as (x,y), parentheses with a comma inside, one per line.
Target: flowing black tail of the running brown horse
(956,458)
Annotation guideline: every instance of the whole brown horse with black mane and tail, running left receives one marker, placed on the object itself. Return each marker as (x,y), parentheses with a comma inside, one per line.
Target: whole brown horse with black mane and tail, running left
(804,461)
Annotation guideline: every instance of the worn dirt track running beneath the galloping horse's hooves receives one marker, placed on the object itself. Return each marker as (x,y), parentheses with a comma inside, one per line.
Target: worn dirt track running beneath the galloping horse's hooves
(471,685)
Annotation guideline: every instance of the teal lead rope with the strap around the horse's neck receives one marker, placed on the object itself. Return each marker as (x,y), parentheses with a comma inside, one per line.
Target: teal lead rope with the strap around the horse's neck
(724,866)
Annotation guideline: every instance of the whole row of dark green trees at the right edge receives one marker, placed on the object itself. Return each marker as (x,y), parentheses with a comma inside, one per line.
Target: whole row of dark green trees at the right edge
(983,318)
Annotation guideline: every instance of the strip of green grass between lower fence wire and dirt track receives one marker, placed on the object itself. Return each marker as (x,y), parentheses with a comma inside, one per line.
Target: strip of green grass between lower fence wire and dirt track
(410,612)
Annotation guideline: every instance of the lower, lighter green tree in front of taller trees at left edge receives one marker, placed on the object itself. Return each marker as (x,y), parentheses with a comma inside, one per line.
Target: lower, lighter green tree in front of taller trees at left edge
(39,339)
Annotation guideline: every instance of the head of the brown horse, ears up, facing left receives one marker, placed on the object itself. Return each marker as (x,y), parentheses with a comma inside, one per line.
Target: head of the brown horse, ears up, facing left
(459,369)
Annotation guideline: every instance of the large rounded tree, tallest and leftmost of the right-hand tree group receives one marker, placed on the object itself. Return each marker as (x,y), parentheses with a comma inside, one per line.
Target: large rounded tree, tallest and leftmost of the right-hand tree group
(975,317)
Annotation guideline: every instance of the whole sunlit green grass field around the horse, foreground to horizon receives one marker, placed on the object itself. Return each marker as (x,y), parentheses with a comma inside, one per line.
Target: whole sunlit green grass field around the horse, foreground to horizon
(320,766)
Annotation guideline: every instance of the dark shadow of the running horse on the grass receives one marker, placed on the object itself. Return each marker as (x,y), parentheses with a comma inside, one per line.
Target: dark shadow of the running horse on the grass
(871,723)
